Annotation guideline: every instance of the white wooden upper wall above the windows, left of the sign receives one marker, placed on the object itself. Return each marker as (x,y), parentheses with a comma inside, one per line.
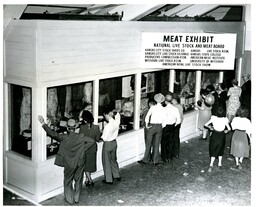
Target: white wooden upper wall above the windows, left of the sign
(92,48)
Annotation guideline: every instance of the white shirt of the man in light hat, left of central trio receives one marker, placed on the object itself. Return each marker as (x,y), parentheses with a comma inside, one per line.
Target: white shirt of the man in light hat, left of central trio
(157,113)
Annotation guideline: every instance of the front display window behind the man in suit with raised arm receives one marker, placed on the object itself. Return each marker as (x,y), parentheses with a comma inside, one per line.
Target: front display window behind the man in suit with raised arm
(65,102)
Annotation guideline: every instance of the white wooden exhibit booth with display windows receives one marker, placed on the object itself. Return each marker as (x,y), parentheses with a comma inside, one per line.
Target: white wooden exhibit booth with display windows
(57,68)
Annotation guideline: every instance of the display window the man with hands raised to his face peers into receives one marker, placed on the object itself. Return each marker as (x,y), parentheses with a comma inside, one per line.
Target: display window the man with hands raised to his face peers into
(117,93)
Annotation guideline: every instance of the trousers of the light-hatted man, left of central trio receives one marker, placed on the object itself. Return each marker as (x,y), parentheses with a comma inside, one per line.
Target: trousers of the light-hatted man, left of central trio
(154,135)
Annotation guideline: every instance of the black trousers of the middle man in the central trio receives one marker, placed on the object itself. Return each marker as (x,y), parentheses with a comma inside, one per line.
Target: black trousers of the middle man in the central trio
(167,143)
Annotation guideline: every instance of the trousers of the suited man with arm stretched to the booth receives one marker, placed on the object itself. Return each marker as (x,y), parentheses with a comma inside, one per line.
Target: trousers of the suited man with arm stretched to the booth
(73,194)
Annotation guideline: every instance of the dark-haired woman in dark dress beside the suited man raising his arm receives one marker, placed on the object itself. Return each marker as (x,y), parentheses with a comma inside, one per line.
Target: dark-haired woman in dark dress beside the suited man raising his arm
(92,131)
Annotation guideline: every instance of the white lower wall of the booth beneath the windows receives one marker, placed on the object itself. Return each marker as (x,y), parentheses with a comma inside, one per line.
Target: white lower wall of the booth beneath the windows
(49,180)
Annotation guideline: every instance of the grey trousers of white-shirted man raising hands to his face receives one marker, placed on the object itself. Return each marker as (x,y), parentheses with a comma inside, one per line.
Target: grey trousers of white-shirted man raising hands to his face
(109,161)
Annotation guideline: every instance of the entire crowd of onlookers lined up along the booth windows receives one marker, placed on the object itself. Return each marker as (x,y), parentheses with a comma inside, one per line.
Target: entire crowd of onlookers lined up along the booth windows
(220,111)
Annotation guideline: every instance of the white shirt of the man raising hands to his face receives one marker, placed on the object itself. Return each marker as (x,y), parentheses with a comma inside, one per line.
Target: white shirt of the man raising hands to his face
(110,131)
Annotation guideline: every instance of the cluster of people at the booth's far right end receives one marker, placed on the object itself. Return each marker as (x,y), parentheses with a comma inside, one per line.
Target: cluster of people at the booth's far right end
(229,112)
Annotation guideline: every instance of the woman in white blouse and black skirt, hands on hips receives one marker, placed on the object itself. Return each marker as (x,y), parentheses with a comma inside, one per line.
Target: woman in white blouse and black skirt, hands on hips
(217,124)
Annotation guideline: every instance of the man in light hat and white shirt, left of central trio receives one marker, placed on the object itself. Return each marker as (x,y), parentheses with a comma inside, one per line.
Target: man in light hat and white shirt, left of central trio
(156,115)
